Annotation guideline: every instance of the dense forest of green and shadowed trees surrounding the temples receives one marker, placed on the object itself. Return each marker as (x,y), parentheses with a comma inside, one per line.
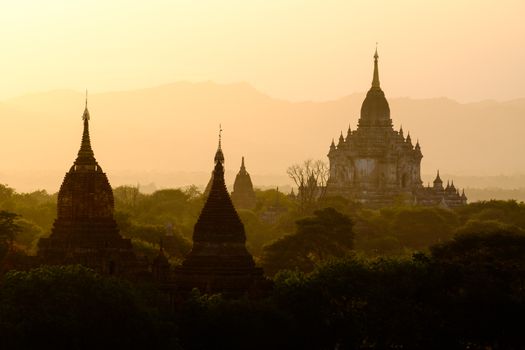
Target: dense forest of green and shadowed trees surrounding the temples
(345,277)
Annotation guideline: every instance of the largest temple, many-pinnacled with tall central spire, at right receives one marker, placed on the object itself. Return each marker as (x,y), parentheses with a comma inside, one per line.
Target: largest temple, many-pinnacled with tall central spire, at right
(378,166)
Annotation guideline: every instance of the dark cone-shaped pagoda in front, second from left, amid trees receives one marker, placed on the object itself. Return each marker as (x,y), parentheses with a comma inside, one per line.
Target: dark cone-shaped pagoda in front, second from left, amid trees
(219,261)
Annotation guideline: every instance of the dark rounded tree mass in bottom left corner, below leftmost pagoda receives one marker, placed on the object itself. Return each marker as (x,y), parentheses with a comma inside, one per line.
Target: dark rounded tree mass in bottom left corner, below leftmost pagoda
(72,307)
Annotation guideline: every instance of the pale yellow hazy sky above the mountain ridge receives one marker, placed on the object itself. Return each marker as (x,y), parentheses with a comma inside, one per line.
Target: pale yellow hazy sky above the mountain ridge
(293,49)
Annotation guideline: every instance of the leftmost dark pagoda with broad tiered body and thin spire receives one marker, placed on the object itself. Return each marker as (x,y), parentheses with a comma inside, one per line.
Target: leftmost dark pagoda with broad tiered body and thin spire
(85,231)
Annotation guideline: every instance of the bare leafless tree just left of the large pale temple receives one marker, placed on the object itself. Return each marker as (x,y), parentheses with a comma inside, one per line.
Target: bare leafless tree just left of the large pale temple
(310,179)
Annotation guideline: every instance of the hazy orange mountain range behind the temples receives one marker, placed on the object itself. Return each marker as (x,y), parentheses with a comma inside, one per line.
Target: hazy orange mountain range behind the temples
(173,129)
